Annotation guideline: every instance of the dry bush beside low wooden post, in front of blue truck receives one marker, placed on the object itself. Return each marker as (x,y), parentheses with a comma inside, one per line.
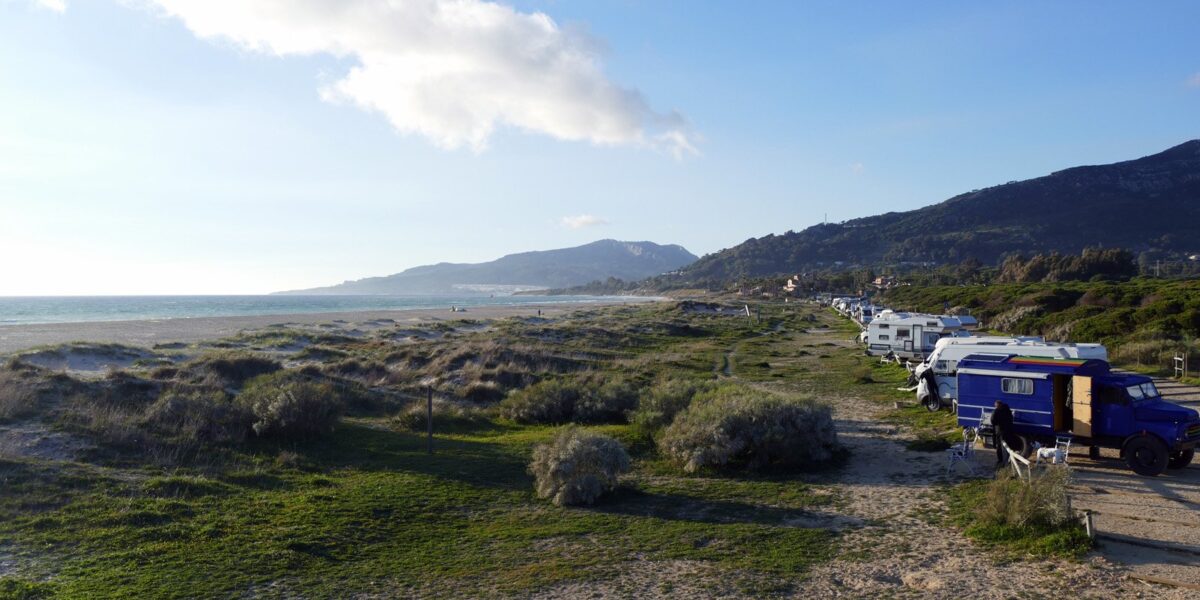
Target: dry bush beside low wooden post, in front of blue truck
(1040,502)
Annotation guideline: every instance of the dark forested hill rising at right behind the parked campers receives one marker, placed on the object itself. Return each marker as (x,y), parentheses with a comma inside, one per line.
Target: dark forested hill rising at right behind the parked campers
(1148,205)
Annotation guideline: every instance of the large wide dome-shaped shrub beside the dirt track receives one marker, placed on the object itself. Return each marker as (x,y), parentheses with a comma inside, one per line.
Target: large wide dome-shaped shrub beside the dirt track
(737,427)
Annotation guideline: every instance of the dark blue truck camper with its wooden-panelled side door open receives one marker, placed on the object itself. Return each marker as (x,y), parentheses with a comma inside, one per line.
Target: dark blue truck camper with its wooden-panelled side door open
(1084,400)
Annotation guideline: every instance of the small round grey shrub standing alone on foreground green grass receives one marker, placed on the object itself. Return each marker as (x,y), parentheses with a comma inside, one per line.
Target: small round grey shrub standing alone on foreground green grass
(578,467)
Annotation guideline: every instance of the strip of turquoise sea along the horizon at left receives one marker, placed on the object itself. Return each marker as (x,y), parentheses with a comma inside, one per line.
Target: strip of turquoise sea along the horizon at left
(28,310)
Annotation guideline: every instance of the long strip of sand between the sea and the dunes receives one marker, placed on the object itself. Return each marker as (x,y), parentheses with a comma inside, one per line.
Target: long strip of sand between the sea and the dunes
(149,333)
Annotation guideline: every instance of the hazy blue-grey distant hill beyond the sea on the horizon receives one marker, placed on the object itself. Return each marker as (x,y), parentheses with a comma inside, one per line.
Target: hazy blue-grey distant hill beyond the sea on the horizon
(527,271)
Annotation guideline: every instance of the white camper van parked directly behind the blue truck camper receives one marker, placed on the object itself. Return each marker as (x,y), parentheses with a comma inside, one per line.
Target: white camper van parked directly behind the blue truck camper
(938,382)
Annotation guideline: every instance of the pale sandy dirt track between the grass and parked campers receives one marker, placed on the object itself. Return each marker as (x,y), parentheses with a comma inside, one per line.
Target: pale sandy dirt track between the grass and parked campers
(905,551)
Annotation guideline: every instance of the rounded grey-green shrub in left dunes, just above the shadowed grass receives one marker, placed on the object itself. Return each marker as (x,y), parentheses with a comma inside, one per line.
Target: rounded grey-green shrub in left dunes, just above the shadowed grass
(289,407)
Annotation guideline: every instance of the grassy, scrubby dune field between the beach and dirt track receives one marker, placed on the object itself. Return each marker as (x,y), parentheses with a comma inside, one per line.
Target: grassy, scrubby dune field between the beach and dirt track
(365,511)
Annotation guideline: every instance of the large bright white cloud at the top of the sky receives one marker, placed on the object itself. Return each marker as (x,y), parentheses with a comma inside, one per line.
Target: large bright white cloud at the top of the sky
(453,71)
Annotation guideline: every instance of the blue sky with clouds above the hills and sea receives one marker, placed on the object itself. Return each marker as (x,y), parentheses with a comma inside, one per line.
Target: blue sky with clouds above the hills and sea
(242,147)
